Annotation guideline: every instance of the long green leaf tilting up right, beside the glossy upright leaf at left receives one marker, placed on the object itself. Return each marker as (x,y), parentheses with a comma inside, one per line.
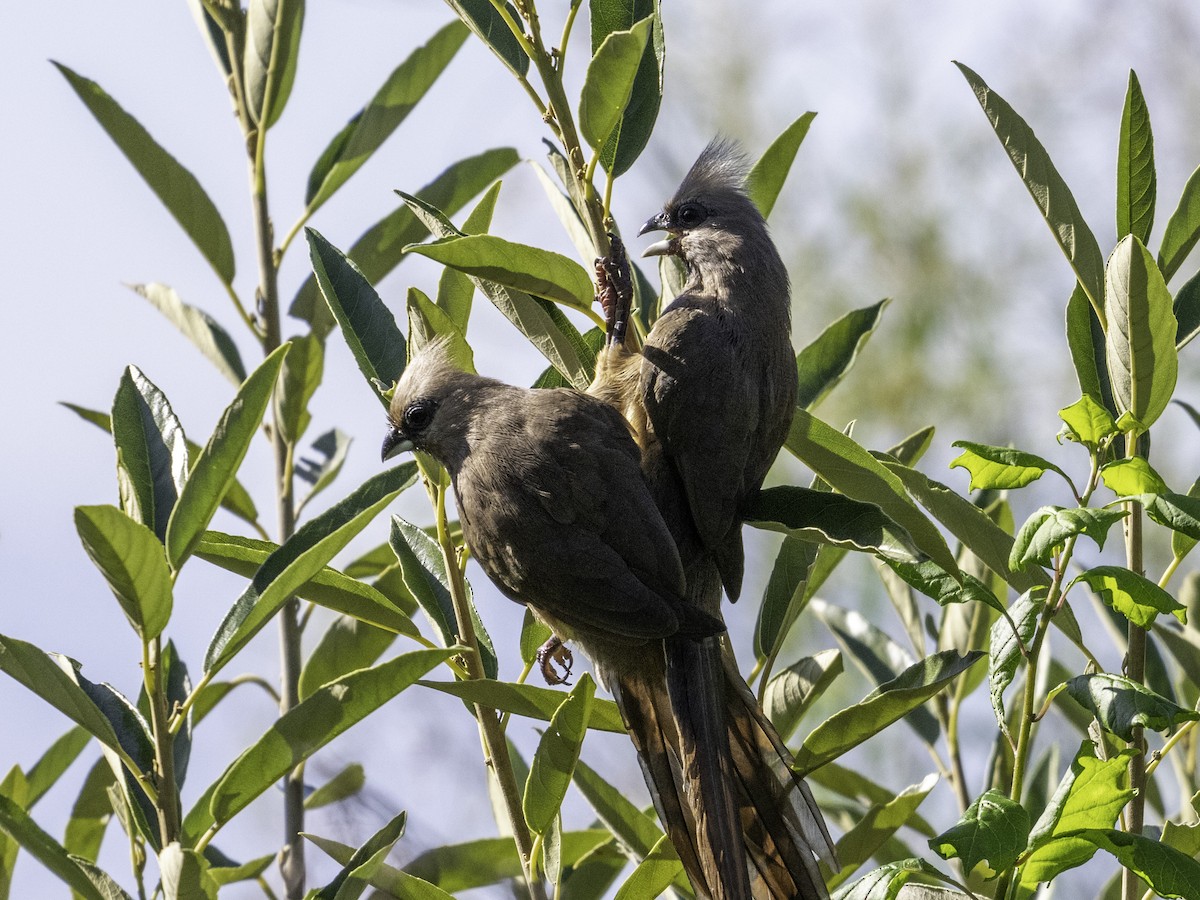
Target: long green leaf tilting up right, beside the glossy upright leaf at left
(217,467)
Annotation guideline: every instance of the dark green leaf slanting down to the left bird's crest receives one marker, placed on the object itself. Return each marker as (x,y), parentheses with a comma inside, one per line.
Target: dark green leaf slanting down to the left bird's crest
(368,326)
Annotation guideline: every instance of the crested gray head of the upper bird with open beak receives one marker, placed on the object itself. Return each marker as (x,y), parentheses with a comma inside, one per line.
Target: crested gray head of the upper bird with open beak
(711,217)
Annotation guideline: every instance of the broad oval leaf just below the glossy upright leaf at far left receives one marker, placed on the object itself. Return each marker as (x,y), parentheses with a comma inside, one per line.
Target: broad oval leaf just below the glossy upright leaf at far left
(134,565)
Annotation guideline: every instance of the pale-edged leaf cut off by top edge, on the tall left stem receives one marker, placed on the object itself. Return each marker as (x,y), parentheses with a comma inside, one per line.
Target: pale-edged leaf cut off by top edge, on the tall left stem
(273,46)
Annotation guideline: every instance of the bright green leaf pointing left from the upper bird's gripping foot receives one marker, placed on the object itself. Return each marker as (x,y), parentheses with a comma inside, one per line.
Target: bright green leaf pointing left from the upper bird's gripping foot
(532,271)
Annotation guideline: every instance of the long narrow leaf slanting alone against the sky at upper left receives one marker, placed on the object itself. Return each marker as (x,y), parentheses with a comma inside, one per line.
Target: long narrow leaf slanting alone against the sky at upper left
(175,185)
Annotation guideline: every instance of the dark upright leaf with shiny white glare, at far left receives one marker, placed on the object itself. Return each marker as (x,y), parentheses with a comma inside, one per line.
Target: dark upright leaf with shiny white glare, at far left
(152,452)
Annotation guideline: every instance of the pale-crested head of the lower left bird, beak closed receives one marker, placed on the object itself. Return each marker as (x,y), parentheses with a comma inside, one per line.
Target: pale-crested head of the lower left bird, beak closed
(428,410)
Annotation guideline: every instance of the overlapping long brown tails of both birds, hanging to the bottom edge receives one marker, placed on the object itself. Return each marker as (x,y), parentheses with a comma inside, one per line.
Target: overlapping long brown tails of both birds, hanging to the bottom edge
(745,826)
